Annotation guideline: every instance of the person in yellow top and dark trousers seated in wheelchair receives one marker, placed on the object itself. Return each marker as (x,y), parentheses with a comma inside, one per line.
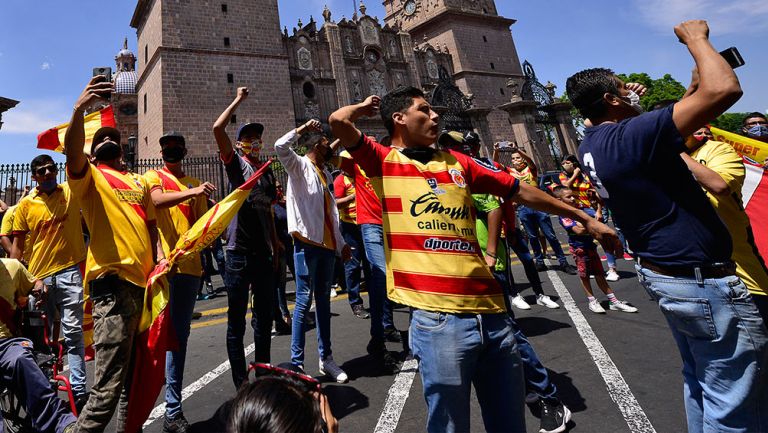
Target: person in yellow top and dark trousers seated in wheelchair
(19,371)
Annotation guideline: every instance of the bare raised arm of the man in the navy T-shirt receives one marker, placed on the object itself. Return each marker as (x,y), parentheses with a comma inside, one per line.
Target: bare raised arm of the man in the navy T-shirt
(718,87)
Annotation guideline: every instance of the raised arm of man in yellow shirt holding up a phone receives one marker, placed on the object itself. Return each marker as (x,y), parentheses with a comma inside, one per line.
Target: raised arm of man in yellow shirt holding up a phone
(74,139)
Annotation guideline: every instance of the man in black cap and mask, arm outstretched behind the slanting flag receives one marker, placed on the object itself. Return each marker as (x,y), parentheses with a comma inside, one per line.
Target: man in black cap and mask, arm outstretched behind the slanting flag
(180,200)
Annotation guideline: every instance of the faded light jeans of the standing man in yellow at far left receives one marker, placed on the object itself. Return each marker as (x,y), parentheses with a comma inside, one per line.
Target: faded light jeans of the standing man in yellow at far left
(65,294)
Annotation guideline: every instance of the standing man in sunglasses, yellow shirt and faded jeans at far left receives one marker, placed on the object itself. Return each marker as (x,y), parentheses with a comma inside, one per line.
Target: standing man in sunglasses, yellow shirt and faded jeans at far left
(47,227)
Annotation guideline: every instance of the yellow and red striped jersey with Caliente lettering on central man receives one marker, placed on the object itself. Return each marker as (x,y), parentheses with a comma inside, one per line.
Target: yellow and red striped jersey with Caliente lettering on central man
(434,261)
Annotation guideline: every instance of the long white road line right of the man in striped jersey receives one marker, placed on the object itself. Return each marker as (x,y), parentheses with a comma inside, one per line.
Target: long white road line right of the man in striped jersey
(618,389)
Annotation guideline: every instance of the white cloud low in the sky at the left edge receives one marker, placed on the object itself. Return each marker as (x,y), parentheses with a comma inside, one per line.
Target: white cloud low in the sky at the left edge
(34,117)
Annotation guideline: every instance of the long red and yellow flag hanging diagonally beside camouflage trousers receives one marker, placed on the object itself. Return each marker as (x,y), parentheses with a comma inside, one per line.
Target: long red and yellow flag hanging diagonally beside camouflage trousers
(155,334)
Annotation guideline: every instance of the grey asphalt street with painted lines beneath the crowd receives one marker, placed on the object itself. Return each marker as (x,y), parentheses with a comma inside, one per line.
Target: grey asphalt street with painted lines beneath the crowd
(639,345)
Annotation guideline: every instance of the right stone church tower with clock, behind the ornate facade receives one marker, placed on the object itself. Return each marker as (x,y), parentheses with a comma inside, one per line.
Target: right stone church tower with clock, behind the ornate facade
(480,42)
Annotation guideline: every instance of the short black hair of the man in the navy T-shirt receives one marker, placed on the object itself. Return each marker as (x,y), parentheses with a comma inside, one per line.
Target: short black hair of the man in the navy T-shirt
(586,89)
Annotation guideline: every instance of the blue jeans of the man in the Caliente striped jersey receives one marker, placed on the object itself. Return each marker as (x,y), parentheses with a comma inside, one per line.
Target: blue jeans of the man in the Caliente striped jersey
(456,351)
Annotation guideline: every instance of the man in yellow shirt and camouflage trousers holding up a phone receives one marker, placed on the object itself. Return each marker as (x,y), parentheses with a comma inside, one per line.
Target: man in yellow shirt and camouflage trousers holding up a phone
(120,216)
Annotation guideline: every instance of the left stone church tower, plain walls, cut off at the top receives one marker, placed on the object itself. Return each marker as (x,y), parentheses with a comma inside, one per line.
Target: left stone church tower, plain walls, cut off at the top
(193,55)
